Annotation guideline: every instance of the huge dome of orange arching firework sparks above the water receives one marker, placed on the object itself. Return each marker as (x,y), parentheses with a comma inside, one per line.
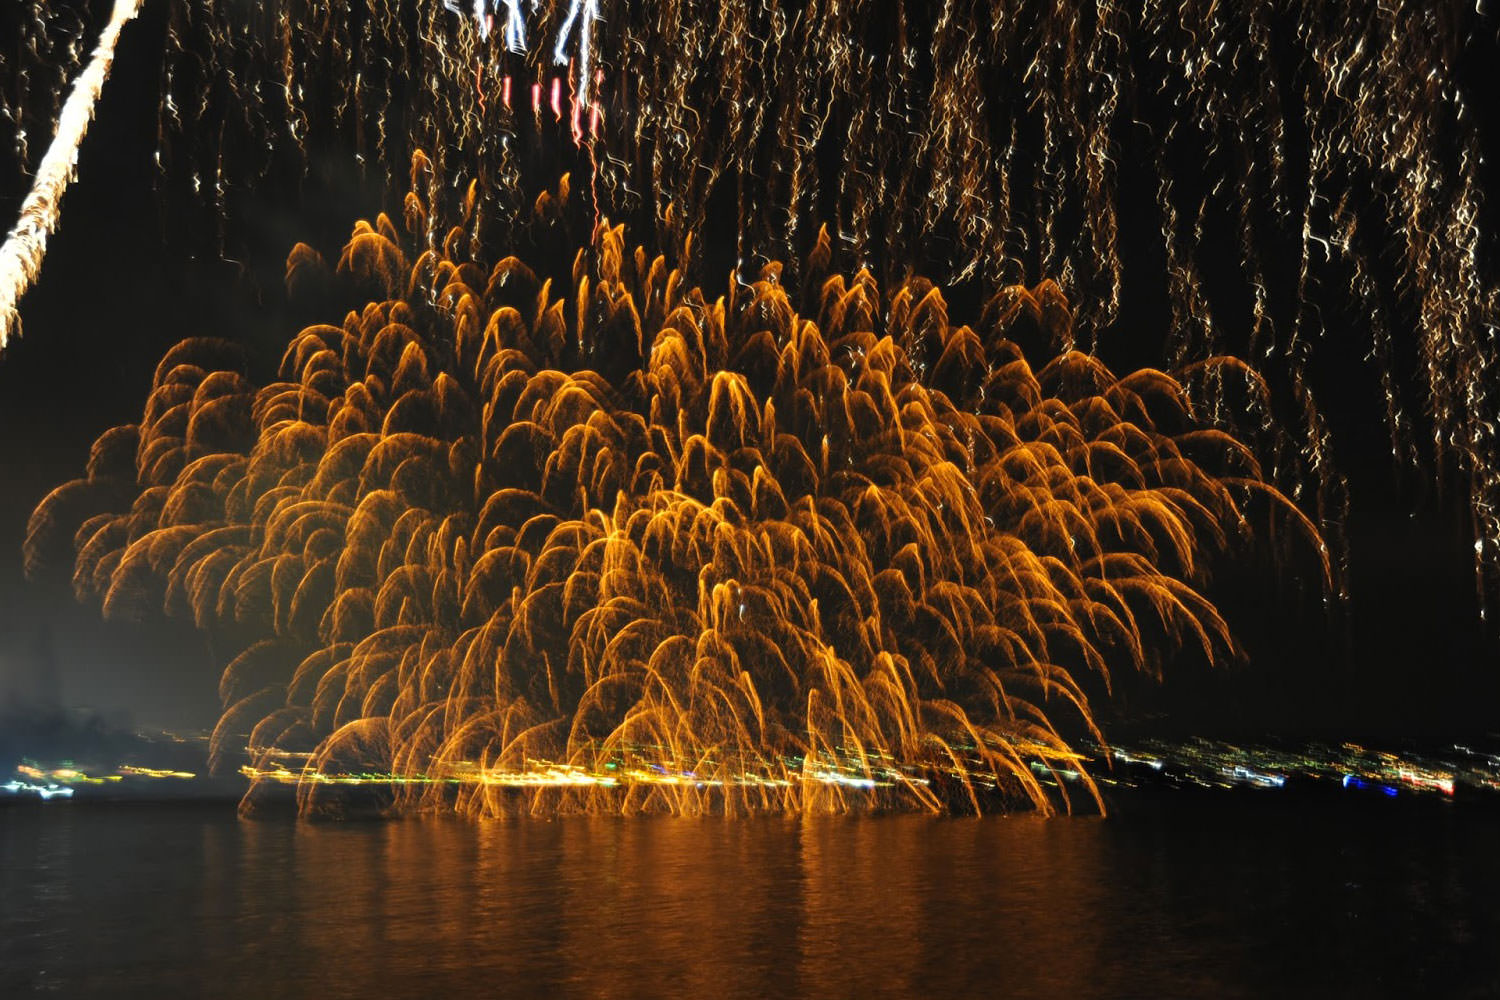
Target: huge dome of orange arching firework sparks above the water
(625,548)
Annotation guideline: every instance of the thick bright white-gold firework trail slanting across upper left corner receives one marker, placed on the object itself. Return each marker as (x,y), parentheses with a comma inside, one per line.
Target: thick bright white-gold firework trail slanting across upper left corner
(26,247)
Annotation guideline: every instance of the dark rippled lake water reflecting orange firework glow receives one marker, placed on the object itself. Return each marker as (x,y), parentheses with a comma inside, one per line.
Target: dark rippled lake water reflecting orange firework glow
(1204,899)
